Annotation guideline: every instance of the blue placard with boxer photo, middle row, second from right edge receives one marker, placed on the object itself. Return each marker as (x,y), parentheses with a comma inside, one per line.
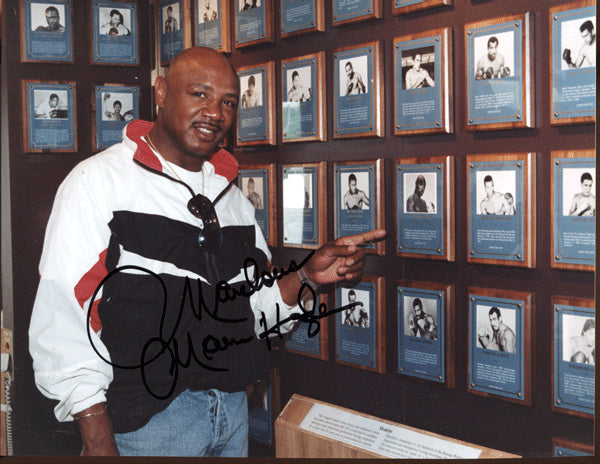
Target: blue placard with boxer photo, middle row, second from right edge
(496,209)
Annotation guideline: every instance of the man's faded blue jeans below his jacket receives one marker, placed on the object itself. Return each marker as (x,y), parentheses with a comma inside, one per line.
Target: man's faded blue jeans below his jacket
(201,423)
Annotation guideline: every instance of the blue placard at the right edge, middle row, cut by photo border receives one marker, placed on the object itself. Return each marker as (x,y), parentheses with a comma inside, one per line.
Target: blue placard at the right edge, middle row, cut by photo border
(574,210)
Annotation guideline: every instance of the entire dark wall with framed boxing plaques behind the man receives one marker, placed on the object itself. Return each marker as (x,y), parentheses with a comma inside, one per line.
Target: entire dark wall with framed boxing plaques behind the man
(464,127)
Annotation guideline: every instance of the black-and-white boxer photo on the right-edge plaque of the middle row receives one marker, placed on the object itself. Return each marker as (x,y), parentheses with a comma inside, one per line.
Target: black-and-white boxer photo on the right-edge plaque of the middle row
(578,192)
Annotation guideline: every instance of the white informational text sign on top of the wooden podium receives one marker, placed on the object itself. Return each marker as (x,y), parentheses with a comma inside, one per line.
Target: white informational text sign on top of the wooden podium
(381,438)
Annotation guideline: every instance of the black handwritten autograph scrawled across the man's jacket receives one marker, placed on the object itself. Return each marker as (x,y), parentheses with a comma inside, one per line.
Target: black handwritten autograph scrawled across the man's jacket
(165,344)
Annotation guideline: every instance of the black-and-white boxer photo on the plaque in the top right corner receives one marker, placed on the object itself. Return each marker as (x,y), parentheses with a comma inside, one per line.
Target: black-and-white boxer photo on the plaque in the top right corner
(578,43)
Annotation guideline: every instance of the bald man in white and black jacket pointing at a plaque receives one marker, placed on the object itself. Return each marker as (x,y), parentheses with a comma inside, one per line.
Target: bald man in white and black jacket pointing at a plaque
(144,329)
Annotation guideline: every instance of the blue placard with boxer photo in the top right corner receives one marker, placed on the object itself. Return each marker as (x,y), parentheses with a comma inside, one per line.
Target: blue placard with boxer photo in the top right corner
(574,63)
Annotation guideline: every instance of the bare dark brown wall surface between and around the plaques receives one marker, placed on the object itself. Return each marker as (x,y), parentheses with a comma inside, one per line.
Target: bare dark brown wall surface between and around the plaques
(453,412)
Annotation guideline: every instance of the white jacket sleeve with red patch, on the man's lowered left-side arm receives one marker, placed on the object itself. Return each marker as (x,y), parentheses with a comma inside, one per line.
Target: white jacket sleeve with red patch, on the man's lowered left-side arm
(67,358)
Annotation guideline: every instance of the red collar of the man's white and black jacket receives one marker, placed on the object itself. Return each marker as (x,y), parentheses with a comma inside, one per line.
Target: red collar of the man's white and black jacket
(224,162)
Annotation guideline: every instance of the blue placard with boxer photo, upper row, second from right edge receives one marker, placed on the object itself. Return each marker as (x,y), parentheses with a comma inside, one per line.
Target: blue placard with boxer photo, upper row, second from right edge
(495,73)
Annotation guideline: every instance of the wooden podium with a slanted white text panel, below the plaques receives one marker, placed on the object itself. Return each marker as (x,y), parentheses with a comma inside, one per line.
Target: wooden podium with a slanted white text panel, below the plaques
(307,428)
